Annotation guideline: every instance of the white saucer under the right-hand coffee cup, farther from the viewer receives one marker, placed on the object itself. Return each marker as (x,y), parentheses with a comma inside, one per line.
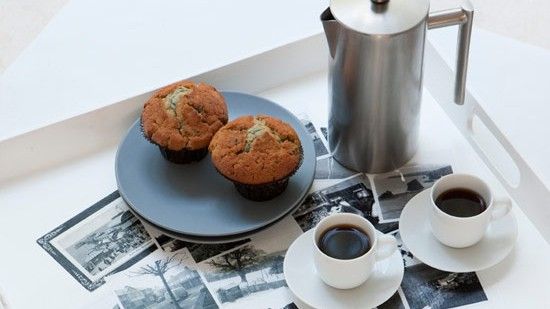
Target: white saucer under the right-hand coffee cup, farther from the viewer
(415,232)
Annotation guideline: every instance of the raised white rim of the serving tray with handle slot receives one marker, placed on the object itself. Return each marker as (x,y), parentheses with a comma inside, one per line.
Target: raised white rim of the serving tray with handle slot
(19,163)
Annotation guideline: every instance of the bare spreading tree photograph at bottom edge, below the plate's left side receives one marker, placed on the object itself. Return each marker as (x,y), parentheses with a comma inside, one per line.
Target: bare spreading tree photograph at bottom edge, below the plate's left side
(162,280)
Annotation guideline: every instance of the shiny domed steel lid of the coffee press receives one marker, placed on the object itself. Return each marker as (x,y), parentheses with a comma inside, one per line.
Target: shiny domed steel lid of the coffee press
(379,16)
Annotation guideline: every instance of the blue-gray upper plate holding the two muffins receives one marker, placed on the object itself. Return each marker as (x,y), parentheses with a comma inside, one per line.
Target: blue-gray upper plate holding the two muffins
(194,199)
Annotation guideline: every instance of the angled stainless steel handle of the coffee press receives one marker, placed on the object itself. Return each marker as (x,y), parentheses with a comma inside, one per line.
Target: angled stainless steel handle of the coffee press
(463,17)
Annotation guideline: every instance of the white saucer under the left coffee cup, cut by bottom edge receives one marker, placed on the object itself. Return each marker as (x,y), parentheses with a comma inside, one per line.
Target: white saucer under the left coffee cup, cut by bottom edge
(303,281)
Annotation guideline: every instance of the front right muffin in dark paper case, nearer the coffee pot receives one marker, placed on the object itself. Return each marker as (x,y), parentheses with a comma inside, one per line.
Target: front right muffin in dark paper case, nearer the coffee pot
(258,154)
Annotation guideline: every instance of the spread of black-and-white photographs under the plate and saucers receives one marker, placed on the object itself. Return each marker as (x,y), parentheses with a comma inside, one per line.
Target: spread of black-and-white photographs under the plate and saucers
(131,265)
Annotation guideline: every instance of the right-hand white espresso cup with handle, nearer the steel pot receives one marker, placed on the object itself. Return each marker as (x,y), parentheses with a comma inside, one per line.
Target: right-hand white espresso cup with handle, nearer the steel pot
(461,232)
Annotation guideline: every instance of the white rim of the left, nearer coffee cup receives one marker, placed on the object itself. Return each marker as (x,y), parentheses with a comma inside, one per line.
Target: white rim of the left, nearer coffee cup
(371,233)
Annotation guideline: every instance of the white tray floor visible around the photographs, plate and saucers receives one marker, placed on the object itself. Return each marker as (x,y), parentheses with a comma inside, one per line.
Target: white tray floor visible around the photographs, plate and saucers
(48,198)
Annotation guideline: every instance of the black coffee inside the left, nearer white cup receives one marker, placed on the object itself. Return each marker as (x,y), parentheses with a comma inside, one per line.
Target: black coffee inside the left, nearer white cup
(344,242)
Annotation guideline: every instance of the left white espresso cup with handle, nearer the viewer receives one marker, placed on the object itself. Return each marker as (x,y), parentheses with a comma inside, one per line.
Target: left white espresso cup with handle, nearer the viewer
(350,273)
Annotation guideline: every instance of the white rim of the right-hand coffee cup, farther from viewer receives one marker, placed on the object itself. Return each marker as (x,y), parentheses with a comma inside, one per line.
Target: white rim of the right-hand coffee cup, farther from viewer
(449,177)
